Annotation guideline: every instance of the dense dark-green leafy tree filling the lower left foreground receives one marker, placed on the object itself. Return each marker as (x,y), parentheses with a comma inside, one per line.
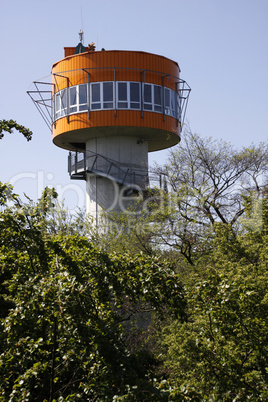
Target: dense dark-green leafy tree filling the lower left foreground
(66,336)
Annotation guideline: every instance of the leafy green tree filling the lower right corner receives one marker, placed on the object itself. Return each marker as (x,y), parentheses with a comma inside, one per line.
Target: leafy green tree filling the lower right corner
(222,351)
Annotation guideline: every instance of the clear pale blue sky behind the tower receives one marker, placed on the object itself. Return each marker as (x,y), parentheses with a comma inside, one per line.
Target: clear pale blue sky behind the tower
(221,47)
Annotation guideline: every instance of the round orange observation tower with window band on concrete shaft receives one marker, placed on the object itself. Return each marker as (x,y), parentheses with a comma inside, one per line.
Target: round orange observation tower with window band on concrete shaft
(109,108)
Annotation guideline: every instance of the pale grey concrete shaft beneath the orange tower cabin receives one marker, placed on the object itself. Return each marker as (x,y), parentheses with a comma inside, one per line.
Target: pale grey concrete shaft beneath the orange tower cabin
(121,165)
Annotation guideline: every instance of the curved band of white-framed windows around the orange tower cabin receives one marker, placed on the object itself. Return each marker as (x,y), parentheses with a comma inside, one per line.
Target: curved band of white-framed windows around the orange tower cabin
(62,100)
